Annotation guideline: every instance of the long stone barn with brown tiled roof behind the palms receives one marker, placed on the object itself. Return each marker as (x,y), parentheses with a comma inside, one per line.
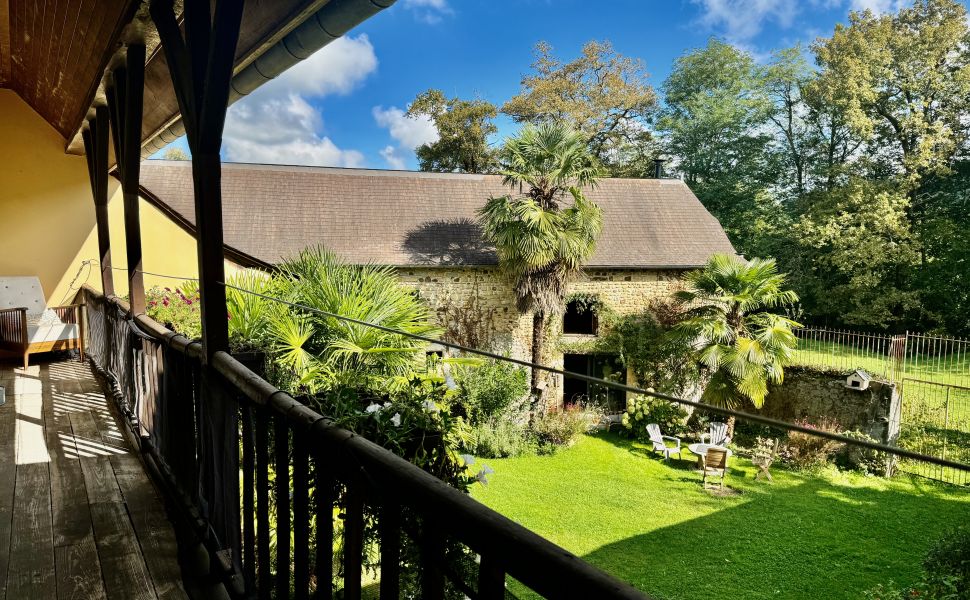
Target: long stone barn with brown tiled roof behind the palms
(425,226)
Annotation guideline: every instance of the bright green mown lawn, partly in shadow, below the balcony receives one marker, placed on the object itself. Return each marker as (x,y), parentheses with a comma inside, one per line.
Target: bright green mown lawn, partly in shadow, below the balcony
(651,523)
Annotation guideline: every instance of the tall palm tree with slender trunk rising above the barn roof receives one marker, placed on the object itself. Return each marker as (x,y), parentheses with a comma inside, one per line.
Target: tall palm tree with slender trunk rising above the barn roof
(543,235)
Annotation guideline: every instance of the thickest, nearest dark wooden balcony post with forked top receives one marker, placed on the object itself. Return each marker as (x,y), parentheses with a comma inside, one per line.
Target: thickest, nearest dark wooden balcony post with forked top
(201,63)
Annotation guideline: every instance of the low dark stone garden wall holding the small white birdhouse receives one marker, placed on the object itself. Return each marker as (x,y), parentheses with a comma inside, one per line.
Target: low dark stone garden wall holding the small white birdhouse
(814,395)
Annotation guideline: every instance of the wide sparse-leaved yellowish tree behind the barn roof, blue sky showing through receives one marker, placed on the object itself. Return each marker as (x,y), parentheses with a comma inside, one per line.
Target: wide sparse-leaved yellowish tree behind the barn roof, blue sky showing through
(603,94)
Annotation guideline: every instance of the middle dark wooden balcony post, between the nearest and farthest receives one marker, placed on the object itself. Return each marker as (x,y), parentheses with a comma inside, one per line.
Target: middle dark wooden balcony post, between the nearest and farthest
(125,95)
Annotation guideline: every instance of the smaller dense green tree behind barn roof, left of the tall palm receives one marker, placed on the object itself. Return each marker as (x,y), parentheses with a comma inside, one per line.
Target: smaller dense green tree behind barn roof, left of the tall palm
(464,127)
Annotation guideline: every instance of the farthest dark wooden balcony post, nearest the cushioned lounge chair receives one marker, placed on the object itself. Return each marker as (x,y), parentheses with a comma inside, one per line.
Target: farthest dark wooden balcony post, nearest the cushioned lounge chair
(96,150)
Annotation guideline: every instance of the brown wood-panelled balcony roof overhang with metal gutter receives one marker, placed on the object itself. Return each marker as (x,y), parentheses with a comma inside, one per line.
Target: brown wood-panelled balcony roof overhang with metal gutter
(54,54)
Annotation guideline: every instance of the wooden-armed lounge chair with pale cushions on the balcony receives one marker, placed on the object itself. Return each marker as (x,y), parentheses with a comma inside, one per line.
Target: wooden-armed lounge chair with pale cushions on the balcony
(28,326)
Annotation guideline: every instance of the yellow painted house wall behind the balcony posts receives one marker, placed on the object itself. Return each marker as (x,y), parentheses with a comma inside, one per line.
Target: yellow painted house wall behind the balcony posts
(47,223)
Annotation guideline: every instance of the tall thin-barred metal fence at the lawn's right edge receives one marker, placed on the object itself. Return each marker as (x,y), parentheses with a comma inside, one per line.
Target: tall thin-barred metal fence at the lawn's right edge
(932,374)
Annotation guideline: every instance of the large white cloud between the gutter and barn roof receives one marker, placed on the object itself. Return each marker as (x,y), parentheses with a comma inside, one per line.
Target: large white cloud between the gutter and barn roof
(277,123)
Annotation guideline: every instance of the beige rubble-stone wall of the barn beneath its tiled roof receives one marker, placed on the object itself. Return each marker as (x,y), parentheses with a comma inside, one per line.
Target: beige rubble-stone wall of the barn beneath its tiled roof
(625,291)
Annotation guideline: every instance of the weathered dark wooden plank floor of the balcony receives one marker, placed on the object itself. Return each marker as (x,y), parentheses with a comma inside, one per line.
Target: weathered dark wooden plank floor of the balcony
(79,517)
